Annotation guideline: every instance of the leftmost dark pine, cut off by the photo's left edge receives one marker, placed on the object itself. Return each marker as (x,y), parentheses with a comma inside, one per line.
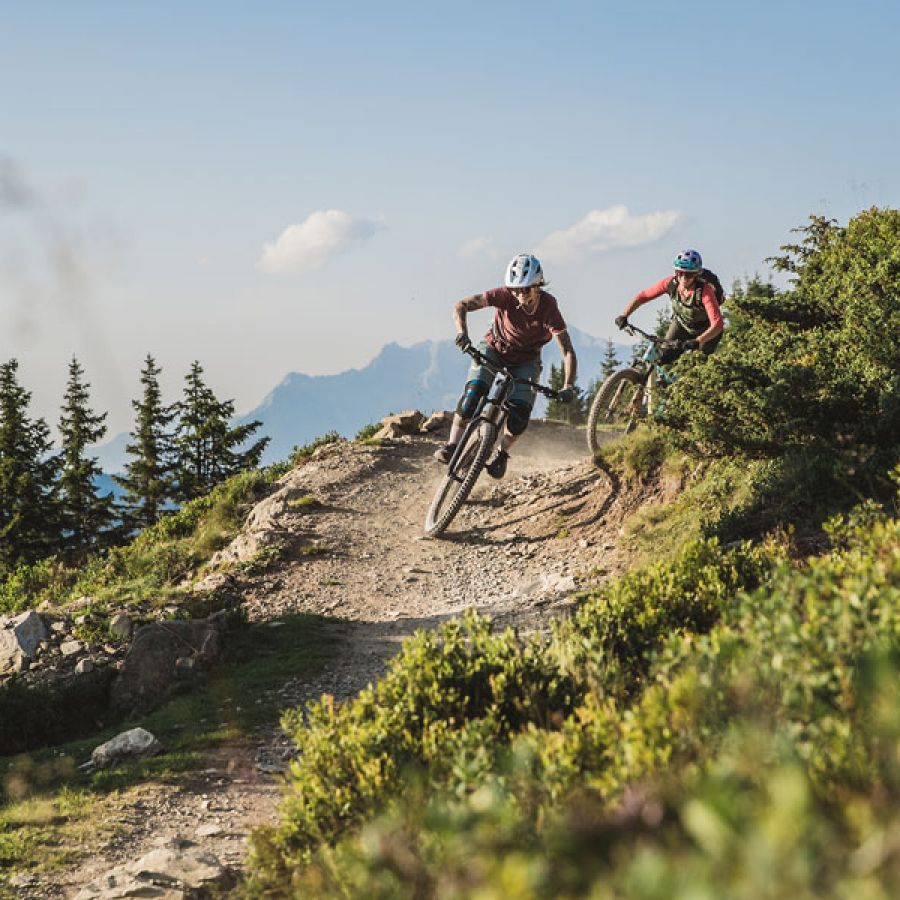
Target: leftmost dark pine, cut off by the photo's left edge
(29,512)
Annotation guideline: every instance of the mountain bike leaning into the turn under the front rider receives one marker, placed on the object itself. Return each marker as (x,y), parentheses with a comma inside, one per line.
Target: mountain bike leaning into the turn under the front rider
(474,448)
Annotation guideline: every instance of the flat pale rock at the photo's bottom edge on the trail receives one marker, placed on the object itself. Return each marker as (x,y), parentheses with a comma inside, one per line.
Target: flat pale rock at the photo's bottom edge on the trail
(174,872)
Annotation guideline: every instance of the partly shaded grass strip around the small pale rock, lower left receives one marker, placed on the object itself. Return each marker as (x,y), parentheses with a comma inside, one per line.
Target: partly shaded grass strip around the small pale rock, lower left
(52,814)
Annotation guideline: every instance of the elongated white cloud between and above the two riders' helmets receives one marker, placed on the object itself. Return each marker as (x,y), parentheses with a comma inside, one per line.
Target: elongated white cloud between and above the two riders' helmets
(605,229)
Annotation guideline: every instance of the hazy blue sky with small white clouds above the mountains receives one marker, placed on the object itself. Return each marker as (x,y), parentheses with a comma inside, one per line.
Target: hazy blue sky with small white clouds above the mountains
(288,186)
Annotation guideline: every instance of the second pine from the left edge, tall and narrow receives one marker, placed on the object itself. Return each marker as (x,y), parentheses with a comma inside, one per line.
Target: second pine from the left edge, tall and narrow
(85,515)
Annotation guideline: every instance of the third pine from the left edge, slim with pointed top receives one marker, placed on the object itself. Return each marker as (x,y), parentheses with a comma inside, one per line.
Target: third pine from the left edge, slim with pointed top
(147,481)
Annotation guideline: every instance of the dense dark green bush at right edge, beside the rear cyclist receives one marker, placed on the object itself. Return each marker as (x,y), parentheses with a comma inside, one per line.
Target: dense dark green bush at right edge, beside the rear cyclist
(814,370)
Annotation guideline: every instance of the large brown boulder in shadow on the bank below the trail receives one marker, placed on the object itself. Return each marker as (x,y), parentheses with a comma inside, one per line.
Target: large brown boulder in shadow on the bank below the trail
(158,657)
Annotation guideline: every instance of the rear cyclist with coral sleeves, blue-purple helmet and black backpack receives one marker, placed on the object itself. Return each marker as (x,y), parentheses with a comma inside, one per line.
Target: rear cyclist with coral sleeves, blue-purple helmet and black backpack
(697,322)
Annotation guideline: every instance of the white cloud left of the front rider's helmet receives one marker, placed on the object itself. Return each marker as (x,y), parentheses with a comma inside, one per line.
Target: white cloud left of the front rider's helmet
(311,243)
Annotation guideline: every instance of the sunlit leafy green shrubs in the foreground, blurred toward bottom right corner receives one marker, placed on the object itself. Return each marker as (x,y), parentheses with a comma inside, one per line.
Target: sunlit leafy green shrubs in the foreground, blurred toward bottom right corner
(728,725)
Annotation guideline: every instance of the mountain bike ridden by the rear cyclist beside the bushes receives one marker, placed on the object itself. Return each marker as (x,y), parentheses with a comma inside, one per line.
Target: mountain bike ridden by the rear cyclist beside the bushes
(631,394)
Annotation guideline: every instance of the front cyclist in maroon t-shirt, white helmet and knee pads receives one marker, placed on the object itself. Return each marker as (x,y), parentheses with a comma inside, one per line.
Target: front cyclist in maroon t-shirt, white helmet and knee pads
(526,317)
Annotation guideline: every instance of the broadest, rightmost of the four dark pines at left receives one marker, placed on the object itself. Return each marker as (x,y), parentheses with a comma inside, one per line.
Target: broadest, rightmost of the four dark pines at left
(205,444)
